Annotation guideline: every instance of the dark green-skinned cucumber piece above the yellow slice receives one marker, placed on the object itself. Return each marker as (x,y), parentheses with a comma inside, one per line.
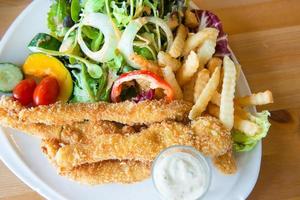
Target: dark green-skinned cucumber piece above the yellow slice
(45,41)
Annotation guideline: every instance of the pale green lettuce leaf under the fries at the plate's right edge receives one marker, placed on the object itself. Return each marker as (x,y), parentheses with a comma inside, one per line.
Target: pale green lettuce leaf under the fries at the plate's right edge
(243,142)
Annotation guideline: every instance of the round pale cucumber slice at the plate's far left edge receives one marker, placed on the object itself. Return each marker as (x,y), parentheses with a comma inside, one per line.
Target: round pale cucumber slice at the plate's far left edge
(10,76)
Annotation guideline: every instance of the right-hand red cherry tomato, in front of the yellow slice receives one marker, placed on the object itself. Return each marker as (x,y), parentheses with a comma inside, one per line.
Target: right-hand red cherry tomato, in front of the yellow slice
(46,92)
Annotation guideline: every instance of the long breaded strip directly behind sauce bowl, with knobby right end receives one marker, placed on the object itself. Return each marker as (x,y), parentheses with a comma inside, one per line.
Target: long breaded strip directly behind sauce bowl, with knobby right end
(209,137)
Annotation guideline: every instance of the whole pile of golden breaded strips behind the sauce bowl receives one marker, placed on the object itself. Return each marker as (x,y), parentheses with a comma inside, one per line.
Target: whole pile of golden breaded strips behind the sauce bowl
(85,143)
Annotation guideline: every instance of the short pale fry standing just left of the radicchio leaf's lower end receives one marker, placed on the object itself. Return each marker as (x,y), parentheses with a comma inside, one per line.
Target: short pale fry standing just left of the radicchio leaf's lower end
(206,51)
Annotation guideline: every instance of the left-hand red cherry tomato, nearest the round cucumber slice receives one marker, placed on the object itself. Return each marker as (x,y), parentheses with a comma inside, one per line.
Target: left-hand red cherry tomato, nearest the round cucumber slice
(24,90)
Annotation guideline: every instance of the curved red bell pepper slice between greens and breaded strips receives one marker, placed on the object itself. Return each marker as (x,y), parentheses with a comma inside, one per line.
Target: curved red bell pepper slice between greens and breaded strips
(154,80)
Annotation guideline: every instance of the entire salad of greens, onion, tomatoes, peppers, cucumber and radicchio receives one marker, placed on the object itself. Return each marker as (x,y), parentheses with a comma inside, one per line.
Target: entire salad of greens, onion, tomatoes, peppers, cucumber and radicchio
(90,45)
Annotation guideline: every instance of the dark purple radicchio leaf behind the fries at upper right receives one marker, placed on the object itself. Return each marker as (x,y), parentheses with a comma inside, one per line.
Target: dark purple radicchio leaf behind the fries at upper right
(208,19)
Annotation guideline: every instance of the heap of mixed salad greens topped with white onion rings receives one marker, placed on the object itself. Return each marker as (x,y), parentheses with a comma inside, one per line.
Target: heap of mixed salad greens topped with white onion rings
(95,38)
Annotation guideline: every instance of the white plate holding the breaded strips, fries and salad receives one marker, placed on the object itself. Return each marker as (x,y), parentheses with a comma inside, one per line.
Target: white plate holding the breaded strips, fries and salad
(21,153)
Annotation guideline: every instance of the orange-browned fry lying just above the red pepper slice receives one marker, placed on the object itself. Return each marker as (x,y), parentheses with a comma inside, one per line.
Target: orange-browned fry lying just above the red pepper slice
(145,64)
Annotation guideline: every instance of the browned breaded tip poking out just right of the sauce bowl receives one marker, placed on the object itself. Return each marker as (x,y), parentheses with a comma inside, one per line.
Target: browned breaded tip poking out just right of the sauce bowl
(226,163)
